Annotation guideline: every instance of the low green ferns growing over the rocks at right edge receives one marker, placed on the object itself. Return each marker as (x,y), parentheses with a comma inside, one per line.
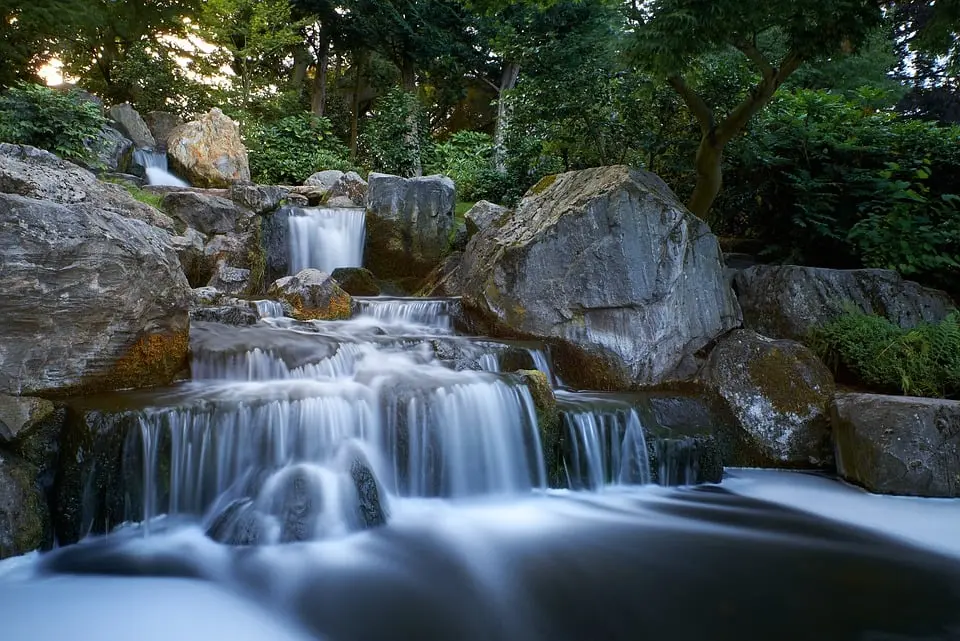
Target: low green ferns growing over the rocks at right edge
(924,361)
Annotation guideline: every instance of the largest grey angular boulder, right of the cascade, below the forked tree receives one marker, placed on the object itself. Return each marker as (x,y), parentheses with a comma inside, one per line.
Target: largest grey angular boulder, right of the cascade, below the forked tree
(610,268)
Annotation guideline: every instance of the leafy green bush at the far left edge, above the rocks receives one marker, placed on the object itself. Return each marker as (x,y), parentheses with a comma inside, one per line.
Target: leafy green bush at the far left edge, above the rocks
(60,122)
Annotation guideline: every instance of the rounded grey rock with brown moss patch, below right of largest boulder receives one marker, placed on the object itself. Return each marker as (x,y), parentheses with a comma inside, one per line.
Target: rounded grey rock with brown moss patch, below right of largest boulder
(780,393)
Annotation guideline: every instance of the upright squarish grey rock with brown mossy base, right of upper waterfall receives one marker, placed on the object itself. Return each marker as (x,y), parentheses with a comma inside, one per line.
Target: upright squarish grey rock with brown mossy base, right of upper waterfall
(409,221)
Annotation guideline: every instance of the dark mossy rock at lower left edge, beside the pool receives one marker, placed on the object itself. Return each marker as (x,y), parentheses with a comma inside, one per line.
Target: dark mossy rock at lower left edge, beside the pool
(24,516)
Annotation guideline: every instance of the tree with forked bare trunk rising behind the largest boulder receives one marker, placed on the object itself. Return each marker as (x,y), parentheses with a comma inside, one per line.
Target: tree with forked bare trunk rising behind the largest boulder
(776,37)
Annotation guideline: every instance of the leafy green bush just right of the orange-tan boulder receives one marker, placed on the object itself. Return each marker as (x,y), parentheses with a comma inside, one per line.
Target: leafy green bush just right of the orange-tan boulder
(293,148)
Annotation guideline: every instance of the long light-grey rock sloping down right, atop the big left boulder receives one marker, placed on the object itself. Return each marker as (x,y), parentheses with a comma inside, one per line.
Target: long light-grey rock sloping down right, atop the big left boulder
(34,173)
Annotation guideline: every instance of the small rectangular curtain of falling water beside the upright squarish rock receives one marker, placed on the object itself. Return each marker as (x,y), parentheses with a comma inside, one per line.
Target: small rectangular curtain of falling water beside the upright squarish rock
(325,239)
